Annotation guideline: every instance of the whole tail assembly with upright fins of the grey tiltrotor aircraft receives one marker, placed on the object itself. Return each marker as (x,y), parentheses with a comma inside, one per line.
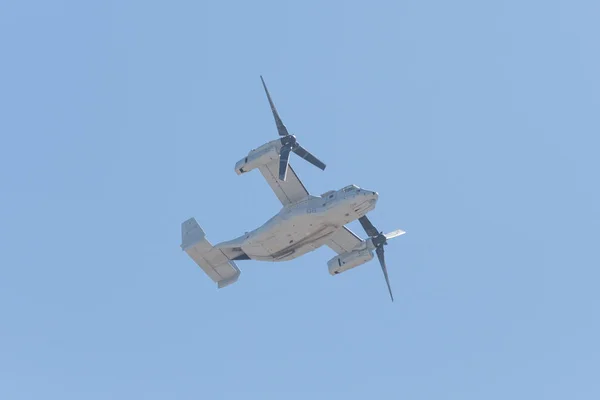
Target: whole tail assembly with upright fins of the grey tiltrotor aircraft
(212,260)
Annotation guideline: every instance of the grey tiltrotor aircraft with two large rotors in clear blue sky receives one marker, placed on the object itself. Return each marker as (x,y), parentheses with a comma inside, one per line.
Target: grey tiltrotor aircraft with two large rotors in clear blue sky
(304,223)
